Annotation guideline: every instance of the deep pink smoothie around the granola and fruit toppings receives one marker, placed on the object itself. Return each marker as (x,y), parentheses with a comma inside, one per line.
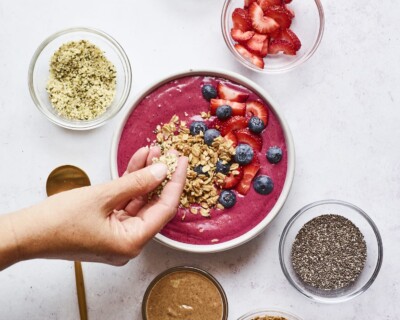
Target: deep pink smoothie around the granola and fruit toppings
(183,97)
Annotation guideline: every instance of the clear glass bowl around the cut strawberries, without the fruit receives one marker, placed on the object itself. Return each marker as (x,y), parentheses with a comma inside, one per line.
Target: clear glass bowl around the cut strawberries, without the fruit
(308,25)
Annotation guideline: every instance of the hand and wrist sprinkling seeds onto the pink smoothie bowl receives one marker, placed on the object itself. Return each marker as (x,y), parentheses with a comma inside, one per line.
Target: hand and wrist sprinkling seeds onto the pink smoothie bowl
(107,223)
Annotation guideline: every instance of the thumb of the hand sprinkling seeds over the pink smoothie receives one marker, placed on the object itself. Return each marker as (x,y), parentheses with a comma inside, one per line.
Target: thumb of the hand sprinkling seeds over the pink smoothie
(136,184)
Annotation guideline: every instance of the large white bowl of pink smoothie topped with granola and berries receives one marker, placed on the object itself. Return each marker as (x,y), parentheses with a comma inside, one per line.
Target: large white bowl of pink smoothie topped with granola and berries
(241,155)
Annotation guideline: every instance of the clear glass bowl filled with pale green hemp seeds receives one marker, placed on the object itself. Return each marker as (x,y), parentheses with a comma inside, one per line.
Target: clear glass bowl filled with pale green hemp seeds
(80,78)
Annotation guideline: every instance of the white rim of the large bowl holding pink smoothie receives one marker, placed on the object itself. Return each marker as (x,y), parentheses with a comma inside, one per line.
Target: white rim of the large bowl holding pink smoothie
(218,247)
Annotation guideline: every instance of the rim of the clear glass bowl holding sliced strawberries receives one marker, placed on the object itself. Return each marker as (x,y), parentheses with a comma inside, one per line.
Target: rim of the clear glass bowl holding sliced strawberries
(291,66)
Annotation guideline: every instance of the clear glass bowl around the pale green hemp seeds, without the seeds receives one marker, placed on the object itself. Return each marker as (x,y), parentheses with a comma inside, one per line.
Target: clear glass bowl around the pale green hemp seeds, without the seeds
(39,70)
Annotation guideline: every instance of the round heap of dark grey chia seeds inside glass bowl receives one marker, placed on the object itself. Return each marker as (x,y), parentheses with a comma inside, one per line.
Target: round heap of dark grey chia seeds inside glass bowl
(329,252)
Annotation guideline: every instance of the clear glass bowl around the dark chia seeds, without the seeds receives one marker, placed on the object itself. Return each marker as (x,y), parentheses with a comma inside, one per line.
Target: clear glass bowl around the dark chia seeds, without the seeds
(372,238)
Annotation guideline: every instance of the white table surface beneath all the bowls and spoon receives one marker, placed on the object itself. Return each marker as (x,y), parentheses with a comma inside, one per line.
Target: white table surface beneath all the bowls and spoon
(342,107)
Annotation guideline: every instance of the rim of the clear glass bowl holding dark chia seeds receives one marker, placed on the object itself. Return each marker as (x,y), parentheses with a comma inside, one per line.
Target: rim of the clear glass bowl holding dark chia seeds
(327,299)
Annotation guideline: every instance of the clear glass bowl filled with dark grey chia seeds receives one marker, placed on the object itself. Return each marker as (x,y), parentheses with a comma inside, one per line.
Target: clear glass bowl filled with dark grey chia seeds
(331,251)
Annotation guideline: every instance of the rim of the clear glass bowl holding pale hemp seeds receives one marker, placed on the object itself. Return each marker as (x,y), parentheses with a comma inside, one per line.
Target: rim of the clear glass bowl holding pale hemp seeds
(94,123)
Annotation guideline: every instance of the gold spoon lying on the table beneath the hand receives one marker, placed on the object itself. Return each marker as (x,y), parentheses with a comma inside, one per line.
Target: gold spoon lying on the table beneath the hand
(62,179)
